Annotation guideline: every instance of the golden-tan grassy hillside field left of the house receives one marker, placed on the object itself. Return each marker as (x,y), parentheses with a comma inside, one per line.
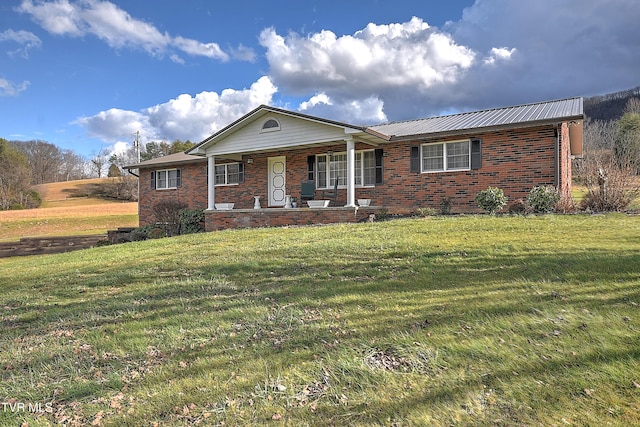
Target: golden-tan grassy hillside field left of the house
(62,215)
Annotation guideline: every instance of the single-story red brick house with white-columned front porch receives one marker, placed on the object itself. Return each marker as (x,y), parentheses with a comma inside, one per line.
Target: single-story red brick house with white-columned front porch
(259,164)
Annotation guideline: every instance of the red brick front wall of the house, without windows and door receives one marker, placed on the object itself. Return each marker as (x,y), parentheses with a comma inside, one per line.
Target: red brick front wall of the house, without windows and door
(513,160)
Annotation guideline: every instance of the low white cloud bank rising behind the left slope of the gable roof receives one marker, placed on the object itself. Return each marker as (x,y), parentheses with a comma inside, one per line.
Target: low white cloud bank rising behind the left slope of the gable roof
(185,117)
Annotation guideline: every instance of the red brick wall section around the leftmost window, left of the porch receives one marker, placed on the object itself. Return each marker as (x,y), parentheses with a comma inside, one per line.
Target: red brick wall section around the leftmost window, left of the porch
(193,190)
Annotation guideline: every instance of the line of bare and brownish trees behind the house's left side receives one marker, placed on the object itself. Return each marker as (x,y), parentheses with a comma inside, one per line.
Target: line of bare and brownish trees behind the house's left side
(26,164)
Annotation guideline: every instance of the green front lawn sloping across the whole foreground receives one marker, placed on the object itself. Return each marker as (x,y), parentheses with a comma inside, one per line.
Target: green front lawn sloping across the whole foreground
(468,320)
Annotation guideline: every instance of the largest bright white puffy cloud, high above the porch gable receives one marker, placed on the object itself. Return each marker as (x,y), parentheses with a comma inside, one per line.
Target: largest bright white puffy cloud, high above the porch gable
(375,60)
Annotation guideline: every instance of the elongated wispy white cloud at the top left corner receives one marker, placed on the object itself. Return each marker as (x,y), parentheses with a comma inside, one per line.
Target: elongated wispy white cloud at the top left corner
(114,26)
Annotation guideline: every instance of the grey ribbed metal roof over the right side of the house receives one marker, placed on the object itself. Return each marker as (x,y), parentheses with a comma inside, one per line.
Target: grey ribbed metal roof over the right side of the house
(497,118)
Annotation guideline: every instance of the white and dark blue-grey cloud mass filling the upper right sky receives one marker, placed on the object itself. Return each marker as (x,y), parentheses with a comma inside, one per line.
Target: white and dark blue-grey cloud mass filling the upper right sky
(499,53)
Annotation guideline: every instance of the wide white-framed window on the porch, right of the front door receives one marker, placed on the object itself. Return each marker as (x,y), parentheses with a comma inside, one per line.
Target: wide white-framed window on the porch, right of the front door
(368,169)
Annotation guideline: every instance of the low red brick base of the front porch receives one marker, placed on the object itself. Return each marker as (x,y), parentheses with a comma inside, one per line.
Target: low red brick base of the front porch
(279,217)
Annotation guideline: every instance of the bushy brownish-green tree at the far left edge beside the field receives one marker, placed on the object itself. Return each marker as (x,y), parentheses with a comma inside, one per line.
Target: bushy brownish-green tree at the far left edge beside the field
(15,177)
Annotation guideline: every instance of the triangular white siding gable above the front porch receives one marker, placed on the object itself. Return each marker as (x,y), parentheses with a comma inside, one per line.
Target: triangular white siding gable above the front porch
(294,132)
